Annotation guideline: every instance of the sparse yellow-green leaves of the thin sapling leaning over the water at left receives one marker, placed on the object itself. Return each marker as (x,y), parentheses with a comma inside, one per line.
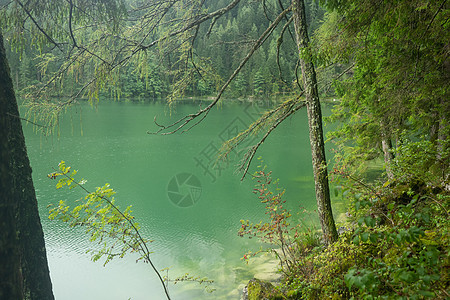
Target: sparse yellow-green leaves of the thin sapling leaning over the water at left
(114,230)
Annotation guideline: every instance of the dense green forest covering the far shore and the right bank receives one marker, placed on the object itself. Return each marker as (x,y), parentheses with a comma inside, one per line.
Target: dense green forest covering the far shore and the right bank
(386,63)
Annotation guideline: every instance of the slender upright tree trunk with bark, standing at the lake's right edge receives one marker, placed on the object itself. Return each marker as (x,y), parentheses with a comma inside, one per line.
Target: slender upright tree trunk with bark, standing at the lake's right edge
(315,125)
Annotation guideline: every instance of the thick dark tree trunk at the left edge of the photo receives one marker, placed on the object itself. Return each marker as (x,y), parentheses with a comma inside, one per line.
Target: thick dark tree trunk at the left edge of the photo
(34,268)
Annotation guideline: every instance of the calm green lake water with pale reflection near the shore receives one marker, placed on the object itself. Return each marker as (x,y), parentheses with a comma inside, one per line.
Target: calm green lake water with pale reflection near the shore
(196,234)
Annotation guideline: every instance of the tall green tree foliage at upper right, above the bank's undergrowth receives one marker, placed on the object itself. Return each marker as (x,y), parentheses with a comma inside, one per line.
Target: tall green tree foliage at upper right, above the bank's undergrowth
(399,79)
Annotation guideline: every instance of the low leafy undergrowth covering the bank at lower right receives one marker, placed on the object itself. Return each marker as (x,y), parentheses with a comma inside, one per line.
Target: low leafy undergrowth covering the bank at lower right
(394,244)
